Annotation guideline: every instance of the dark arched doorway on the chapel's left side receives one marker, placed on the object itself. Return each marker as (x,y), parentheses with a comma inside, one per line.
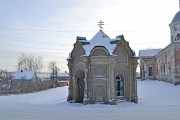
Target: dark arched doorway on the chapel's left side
(80,86)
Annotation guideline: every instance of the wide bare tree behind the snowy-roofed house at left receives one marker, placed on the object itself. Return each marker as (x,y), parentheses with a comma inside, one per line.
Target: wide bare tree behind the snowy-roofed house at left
(29,62)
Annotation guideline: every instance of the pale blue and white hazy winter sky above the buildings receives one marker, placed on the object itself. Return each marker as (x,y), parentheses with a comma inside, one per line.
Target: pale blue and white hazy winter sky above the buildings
(49,28)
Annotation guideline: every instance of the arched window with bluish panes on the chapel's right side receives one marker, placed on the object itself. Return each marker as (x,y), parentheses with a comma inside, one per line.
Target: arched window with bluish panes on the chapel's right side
(119,86)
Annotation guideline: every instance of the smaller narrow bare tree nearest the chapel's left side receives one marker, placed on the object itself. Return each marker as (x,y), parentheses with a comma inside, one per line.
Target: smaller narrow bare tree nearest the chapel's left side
(53,68)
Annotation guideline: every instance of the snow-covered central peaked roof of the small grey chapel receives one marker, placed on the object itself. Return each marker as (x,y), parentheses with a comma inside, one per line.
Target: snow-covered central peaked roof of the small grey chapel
(100,39)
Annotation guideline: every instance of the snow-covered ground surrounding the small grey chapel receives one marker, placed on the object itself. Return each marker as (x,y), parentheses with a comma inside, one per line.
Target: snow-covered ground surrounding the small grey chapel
(157,101)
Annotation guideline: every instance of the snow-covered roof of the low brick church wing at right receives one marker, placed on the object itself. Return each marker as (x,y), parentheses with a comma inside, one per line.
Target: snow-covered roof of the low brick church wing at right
(149,52)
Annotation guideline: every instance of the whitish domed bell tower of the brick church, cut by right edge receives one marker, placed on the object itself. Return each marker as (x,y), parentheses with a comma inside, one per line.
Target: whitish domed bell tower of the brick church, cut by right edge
(175,27)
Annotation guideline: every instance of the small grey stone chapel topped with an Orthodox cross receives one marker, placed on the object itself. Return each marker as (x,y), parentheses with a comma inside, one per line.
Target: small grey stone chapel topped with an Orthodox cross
(102,70)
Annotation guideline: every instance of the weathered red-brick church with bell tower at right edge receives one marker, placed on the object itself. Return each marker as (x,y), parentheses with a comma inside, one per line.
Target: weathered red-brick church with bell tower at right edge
(163,64)
